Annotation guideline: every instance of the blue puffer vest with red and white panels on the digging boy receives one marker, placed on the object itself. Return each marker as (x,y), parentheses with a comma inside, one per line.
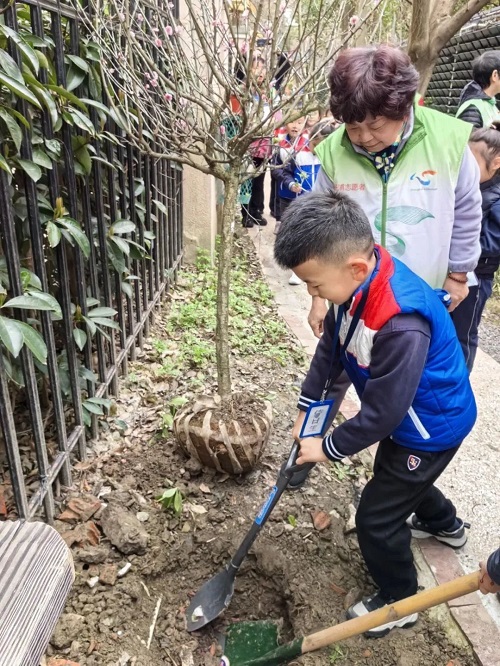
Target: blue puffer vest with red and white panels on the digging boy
(443,410)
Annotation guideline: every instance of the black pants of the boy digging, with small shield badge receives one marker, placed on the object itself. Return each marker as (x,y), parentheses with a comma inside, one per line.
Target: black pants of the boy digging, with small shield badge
(400,486)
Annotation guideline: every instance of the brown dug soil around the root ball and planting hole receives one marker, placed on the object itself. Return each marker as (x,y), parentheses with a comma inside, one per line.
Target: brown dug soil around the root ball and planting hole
(304,570)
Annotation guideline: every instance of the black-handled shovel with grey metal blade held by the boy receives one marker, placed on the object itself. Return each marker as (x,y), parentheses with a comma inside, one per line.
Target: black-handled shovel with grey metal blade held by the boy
(215,596)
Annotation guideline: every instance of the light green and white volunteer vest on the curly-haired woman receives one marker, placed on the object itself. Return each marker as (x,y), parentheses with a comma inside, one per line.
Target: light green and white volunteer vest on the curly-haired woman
(412,215)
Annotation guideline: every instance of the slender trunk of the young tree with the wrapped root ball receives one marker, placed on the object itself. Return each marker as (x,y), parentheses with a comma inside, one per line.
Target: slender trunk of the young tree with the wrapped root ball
(223,281)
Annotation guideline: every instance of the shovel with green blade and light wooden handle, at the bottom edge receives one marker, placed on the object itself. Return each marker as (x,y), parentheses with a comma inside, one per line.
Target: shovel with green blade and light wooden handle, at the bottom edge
(256,643)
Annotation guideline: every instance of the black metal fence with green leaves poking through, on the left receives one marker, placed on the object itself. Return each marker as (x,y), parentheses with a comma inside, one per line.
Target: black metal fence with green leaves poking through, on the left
(91,233)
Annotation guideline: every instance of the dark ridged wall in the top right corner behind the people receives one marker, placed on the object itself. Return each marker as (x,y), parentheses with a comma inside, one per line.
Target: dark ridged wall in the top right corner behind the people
(453,70)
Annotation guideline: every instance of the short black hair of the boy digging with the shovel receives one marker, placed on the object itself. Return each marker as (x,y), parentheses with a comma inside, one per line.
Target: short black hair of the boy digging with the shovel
(327,226)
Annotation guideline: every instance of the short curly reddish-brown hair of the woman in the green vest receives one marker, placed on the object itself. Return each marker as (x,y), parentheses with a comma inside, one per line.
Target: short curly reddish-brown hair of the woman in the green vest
(372,80)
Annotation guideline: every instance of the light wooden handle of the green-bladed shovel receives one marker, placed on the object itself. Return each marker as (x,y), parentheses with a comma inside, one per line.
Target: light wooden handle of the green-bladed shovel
(418,602)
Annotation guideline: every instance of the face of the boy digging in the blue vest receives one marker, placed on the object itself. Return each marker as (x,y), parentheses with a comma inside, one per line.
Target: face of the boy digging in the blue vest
(335,282)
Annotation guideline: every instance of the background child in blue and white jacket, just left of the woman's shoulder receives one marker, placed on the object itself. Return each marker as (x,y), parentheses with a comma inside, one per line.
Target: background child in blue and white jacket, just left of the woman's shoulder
(300,167)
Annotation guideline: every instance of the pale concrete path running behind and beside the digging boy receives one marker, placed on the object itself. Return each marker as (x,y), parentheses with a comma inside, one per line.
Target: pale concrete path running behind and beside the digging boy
(472,481)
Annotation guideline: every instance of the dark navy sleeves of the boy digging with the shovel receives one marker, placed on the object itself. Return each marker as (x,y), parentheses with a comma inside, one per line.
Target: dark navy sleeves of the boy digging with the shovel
(398,358)
